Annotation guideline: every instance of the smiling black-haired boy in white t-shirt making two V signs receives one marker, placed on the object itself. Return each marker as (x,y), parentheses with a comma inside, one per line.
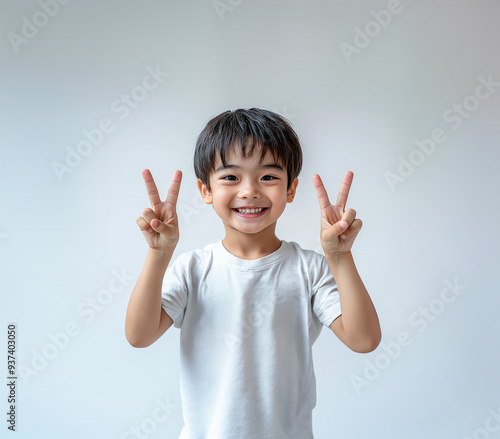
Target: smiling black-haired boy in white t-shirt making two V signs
(250,306)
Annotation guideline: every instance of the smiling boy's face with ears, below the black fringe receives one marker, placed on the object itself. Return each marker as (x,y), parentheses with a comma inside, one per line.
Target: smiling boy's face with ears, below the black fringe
(244,183)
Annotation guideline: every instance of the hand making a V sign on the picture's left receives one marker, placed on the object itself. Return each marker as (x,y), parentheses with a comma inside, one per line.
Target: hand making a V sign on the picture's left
(159,225)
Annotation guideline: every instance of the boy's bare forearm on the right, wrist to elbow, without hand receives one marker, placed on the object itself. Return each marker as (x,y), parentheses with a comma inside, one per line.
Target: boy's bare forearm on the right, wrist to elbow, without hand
(359,317)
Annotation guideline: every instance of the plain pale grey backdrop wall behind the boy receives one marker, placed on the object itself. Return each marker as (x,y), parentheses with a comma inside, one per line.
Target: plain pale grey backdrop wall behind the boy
(61,239)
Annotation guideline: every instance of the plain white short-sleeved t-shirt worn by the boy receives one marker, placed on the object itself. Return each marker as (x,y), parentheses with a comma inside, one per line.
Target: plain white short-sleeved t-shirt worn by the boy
(247,329)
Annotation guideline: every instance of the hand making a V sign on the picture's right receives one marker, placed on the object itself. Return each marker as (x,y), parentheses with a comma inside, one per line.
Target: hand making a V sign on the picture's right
(339,227)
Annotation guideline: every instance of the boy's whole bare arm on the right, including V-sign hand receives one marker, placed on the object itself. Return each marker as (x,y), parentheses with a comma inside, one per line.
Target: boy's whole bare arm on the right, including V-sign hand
(358,326)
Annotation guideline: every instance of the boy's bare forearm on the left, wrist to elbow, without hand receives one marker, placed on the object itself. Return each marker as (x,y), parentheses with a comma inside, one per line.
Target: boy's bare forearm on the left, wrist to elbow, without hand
(144,308)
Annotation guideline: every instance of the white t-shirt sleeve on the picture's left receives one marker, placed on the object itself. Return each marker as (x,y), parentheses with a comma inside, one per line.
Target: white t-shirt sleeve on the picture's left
(174,290)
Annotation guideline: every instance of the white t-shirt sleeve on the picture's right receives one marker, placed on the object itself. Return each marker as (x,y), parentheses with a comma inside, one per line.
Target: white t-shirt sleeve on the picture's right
(325,294)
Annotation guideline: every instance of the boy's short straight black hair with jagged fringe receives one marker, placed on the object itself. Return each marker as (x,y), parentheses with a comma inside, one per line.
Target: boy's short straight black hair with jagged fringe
(266,129)
